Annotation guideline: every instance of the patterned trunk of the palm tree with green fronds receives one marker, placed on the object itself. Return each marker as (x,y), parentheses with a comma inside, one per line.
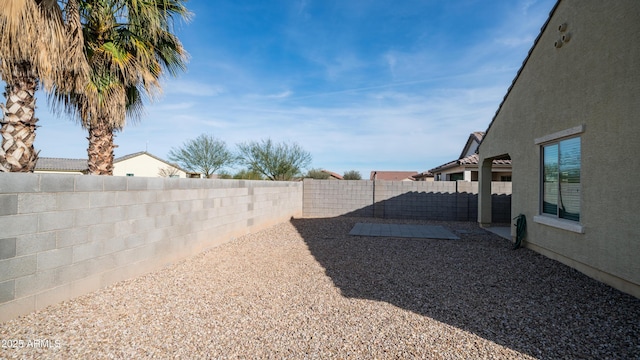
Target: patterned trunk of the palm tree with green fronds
(101,148)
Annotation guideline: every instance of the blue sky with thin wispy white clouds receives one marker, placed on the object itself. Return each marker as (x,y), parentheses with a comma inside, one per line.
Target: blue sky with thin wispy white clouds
(360,84)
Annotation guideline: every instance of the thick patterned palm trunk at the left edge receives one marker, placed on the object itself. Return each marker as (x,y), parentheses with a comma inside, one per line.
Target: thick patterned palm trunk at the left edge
(18,130)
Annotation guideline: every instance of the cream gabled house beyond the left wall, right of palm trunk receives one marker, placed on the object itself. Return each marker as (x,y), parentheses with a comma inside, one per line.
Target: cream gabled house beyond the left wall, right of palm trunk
(145,164)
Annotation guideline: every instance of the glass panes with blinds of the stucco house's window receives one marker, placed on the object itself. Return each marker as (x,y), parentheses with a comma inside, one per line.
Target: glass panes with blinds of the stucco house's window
(561,179)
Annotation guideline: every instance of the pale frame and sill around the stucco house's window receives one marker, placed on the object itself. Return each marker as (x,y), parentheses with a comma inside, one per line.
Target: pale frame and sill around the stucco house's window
(550,219)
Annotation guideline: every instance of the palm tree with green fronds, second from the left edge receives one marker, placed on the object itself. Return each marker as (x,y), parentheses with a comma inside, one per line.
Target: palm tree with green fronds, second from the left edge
(129,46)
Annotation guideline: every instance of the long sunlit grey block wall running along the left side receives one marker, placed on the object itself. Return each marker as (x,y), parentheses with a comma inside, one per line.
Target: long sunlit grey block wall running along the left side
(62,236)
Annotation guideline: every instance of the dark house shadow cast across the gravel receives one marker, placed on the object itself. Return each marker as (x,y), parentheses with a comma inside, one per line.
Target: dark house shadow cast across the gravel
(516,298)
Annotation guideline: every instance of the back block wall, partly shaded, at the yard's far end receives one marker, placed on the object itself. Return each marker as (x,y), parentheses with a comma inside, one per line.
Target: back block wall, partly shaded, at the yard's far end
(425,200)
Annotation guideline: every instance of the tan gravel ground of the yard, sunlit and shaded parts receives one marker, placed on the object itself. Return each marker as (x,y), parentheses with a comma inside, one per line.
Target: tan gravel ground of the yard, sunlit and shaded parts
(306,289)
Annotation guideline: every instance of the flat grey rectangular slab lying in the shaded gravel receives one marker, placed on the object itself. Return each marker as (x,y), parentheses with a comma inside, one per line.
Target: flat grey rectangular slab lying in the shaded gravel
(404,231)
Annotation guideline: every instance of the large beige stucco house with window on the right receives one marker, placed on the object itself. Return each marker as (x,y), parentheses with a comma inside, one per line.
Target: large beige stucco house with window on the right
(570,123)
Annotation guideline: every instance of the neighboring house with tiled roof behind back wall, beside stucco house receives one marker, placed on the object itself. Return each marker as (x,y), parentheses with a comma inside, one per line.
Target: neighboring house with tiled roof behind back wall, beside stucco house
(466,166)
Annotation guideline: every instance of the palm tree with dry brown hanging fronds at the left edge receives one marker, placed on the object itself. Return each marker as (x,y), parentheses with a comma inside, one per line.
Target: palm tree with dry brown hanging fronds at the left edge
(40,41)
